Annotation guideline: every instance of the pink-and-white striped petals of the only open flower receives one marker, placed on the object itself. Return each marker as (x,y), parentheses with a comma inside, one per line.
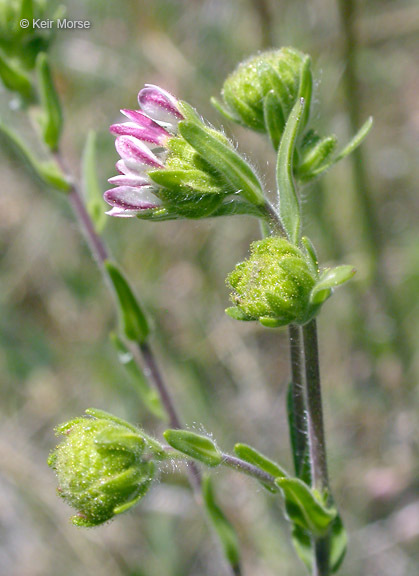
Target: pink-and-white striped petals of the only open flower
(142,144)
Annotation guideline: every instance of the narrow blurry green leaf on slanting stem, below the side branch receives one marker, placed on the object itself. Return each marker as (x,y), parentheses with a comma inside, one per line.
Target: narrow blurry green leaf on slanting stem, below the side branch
(222,526)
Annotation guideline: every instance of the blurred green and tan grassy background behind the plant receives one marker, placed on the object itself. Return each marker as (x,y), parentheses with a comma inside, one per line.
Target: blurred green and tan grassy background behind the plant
(227,378)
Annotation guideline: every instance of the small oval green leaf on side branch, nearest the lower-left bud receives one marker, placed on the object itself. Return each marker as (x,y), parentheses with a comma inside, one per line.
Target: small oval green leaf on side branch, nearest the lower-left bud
(194,445)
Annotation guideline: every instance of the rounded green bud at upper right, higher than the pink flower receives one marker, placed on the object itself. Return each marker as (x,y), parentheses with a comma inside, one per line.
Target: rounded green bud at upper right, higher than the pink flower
(262,91)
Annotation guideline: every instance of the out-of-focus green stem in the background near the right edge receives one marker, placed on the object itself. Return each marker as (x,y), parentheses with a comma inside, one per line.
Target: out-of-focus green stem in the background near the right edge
(375,236)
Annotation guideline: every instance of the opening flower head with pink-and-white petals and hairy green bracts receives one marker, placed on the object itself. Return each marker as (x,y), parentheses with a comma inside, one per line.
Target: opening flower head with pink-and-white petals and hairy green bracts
(174,165)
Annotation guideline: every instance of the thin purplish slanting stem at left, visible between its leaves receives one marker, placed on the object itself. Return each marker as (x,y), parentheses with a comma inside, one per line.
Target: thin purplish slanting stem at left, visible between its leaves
(150,367)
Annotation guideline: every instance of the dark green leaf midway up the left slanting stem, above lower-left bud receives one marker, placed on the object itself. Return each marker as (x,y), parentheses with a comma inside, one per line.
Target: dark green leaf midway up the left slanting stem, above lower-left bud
(133,320)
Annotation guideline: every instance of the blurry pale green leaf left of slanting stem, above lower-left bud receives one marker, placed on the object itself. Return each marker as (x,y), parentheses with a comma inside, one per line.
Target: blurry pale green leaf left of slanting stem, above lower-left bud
(148,395)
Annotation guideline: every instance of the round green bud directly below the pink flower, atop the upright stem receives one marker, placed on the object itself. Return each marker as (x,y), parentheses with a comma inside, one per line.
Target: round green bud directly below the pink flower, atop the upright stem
(273,285)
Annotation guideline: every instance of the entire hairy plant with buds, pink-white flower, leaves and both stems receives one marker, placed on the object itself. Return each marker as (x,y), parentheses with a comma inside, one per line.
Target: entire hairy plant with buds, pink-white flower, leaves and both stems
(173,165)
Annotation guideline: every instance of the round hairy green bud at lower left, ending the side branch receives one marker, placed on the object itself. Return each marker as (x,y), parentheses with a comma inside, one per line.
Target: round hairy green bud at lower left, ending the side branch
(101,466)
